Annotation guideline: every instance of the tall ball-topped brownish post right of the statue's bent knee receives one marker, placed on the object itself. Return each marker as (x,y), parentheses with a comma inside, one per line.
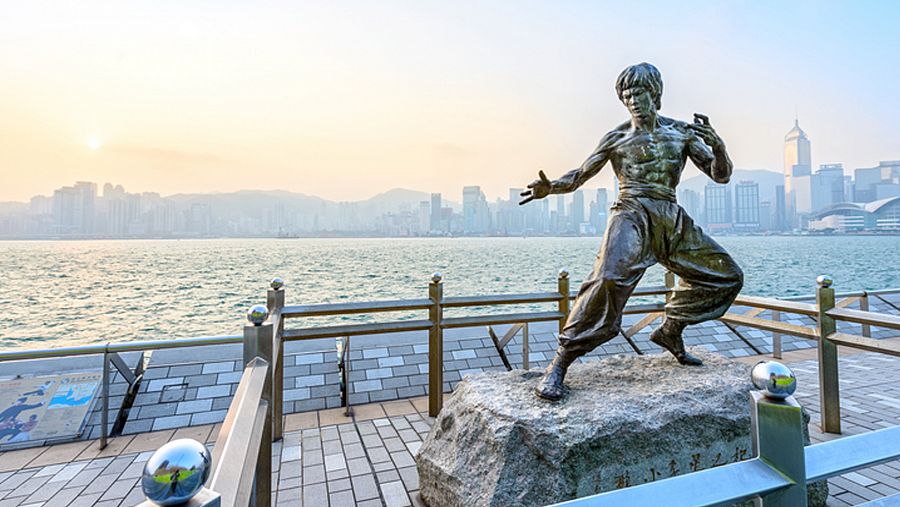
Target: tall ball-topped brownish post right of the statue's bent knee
(829,390)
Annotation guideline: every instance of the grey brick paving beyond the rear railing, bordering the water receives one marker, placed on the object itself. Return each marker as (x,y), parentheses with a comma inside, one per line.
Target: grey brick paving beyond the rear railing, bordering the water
(175,396)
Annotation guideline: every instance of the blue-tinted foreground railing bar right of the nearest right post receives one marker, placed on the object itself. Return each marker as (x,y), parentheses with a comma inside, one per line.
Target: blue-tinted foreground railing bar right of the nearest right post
(836,457)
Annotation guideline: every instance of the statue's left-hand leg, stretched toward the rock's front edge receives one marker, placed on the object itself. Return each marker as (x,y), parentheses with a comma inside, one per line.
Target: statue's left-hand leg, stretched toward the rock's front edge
(596,315)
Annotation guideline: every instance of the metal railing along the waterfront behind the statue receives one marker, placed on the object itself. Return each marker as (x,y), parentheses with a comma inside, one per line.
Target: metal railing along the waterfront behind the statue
(826,311)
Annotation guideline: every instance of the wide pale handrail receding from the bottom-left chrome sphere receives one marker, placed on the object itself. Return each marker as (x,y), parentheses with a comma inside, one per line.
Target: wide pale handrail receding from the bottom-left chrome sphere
(236,451)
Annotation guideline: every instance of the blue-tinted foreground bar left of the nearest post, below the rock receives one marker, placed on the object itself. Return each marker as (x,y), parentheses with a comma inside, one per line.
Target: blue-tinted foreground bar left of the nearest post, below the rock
(733,483)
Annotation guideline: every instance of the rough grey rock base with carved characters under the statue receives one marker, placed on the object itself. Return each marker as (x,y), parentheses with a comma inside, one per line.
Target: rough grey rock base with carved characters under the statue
(625,420)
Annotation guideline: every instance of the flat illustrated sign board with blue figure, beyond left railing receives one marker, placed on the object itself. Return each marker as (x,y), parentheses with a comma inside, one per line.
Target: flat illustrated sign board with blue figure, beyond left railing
(52,407)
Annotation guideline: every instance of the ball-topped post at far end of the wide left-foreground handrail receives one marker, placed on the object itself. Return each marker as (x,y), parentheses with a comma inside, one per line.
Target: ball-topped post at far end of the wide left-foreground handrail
(258,343)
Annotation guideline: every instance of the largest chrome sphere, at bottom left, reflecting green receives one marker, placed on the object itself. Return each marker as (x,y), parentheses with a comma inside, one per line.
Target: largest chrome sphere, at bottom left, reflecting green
(176,472)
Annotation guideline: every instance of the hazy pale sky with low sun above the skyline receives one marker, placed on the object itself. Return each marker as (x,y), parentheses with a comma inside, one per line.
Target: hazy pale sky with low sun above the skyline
(345,99)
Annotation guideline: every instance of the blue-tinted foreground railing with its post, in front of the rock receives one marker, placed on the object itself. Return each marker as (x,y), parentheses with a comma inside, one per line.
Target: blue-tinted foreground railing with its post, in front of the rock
(776,476)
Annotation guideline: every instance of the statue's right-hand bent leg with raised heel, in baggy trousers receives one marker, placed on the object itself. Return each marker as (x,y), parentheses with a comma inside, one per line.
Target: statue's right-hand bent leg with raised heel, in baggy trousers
(709,282)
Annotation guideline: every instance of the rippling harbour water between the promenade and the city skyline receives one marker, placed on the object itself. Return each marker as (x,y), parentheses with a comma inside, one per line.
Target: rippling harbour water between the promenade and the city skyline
(55,293)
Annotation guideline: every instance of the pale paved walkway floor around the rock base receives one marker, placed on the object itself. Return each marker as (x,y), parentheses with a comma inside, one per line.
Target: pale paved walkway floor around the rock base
(326,459)
